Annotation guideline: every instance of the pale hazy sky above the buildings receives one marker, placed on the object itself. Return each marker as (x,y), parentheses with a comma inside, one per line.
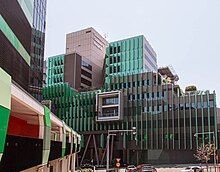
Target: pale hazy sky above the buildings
(184,33)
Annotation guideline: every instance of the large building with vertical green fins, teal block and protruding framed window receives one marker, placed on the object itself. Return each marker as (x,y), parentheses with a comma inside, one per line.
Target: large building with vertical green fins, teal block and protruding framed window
(166,118)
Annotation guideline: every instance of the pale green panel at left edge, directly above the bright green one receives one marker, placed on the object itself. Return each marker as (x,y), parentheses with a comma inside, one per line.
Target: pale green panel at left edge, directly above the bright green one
(5,89)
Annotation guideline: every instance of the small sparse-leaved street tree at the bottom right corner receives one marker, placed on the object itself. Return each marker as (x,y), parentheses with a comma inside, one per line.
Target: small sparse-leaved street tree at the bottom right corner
(204,153)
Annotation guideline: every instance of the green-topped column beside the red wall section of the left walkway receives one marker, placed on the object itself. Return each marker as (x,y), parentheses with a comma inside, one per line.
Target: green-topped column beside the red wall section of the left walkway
(47,135)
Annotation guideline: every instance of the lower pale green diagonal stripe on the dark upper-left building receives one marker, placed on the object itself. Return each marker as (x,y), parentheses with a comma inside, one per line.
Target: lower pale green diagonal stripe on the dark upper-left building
(14,40)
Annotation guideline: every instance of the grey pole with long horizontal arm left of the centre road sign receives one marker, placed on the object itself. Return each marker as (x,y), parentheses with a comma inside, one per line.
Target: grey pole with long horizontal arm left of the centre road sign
(113,133)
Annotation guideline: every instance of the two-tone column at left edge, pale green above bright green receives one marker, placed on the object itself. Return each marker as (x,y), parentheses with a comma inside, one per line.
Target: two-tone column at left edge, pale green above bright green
(5,107)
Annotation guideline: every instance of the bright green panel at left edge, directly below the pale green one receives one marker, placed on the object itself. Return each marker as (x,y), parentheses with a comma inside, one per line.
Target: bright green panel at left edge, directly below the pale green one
(4,116)
